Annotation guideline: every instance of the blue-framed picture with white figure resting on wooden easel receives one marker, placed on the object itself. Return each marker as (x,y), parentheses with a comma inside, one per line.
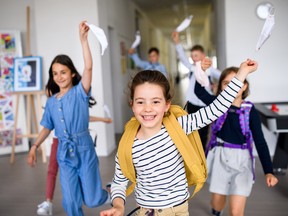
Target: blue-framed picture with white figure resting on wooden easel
(27,74)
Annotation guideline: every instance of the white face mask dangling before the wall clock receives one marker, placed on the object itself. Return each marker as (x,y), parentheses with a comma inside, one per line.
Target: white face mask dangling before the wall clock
(267,29)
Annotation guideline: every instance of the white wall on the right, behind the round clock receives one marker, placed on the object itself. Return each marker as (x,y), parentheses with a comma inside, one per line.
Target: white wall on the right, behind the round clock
(238,32)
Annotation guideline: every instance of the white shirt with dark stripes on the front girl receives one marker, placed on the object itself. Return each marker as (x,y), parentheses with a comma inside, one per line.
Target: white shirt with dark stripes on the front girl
(160,172)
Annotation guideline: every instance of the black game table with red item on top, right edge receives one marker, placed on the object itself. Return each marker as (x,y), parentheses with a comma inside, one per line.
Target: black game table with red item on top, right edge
(275,117)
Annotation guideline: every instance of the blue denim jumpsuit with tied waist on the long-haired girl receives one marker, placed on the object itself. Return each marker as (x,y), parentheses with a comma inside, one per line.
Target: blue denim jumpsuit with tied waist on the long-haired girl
(78,162)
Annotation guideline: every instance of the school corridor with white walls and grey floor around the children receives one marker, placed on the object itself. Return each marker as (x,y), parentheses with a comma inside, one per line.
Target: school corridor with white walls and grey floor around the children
(227,29)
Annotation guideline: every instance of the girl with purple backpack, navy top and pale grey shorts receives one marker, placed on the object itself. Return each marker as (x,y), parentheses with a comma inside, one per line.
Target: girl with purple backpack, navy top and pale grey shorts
(230,159)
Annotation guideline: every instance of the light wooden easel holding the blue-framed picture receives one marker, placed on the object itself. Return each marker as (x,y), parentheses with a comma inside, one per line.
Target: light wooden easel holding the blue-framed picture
(29,98)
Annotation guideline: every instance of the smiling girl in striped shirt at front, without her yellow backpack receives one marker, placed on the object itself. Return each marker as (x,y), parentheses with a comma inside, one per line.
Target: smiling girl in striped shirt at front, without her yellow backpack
(161,184)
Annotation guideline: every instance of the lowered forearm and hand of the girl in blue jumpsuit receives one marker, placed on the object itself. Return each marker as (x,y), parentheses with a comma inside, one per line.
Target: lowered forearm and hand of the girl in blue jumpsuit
(32,159)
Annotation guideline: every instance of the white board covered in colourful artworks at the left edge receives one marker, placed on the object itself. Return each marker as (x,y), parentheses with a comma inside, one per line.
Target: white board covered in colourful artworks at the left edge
(10,48)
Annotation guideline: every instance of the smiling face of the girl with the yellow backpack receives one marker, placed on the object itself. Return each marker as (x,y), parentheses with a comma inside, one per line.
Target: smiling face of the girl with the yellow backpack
(149,106)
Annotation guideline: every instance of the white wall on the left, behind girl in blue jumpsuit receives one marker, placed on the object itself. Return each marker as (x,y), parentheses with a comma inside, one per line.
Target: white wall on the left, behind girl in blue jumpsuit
(54,30)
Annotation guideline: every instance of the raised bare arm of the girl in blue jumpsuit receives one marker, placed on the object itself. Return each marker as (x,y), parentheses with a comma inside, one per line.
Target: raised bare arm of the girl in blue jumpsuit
(87,73)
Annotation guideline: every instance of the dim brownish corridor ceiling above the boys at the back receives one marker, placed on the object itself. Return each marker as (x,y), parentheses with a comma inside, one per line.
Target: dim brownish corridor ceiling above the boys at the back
(167,14)
